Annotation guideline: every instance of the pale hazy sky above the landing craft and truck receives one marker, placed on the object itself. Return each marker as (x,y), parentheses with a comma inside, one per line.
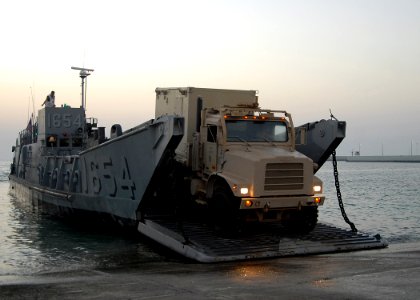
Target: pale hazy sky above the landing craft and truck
(359,58)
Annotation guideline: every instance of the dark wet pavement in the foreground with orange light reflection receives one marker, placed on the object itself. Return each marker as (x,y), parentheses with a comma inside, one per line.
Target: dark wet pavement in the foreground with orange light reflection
(389,273)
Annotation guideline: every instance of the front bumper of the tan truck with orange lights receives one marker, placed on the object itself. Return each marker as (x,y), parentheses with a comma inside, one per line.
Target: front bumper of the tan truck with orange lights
(276,203)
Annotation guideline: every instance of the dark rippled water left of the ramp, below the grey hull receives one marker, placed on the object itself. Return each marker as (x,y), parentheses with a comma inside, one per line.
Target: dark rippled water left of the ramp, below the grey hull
(34,243)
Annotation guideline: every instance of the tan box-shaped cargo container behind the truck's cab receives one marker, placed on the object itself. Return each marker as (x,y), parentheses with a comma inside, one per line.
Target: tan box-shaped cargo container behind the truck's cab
(186,102)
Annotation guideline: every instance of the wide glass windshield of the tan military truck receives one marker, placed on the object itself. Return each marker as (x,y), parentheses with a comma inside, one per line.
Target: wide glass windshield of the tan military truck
(256,131)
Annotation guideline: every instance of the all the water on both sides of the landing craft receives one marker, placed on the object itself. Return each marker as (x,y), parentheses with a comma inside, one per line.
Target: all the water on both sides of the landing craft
(379,198)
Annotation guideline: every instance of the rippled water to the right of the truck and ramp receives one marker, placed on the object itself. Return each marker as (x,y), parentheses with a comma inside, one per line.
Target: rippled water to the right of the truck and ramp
(379,198)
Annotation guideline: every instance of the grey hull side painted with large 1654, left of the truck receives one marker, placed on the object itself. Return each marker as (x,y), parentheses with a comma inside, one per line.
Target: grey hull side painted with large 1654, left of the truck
(112,179)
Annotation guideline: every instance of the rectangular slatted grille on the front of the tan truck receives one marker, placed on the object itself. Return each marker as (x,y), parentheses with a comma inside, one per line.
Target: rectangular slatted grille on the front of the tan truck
(283,176)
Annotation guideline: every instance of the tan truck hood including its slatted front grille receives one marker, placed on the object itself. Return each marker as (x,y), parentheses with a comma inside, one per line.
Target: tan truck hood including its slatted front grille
(254,166)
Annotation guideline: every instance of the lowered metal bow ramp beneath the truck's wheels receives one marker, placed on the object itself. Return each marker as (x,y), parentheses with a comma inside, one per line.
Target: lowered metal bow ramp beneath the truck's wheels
(201,243)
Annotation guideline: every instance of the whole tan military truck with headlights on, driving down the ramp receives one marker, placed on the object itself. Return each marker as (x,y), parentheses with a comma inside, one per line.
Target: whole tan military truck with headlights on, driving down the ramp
(240,160)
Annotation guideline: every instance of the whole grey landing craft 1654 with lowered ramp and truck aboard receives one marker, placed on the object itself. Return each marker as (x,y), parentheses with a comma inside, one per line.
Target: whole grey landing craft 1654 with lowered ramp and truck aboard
(211,163)
